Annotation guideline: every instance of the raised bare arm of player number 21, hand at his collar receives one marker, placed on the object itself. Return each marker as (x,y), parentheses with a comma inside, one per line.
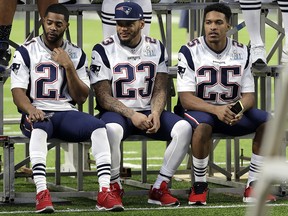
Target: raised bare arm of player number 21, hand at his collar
(78,90)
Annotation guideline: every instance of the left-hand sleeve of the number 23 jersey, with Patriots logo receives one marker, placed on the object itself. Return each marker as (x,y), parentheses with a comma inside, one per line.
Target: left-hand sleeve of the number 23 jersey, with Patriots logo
(100,67)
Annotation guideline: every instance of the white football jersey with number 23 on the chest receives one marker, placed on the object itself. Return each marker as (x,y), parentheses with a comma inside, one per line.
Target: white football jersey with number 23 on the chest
(132,71)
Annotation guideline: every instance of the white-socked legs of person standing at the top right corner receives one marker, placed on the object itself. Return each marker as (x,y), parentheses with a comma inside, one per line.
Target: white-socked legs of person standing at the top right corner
(251,10)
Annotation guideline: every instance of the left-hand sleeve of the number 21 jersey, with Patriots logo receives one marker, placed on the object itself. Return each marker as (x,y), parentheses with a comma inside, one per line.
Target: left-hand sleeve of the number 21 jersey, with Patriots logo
(20,69)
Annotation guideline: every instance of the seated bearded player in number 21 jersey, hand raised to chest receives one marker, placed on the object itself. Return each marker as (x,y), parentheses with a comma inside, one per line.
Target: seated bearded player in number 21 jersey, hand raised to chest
(49,78)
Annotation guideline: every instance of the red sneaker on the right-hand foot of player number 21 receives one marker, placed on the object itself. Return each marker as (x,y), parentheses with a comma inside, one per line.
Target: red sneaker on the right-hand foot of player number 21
(108,201)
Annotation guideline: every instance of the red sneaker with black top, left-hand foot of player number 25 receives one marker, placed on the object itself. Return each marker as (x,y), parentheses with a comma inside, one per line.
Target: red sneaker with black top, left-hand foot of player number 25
(198,194)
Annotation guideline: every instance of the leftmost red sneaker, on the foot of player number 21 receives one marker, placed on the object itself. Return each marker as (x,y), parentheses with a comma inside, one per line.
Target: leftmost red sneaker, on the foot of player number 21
(43,202)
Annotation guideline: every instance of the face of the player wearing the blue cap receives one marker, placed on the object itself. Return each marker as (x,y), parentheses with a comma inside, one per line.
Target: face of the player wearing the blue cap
(129,32)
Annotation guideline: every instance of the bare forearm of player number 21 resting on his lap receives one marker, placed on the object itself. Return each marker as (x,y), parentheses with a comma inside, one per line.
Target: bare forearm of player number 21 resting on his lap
(23,103)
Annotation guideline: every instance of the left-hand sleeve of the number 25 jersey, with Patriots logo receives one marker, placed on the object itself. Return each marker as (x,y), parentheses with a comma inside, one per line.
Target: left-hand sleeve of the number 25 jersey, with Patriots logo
(185,73)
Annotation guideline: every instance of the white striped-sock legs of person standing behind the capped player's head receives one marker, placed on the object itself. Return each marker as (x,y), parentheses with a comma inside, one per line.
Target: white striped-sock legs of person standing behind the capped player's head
(108,13)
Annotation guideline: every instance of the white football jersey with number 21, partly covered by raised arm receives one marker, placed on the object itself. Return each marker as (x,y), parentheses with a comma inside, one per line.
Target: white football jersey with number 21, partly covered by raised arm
(33,69)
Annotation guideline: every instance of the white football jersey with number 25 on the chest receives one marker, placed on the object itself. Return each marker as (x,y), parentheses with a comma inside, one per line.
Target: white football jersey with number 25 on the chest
(217,78)
